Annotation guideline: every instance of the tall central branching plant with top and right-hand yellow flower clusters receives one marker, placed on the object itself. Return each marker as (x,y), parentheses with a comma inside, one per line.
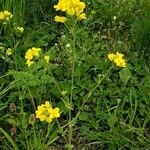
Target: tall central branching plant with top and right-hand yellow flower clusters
(74,11)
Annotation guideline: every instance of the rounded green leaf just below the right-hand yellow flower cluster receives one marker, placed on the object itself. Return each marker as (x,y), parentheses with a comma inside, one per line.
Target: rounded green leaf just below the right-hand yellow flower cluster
(125,75)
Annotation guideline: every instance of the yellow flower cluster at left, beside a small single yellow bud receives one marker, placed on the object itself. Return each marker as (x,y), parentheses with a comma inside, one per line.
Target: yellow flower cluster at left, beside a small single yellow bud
(31,54)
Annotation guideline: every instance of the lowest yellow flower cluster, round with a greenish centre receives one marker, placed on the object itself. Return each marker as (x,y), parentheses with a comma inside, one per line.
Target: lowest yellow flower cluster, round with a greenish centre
(45,112)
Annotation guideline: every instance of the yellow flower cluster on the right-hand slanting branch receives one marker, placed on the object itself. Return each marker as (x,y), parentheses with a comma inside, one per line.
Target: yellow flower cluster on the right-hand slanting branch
(118,59)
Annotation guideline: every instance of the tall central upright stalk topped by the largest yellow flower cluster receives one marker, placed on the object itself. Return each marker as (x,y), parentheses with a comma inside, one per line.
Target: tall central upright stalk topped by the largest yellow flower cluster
(72,9)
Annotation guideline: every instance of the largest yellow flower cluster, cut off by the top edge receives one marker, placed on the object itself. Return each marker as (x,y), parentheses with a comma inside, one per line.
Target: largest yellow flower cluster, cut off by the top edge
(72,8)
